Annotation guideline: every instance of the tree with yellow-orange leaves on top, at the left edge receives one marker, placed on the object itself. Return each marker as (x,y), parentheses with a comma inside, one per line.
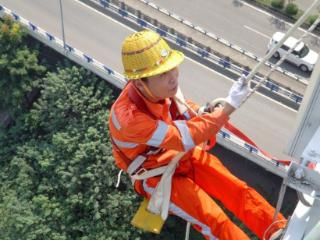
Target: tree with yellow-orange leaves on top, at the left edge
(20,71)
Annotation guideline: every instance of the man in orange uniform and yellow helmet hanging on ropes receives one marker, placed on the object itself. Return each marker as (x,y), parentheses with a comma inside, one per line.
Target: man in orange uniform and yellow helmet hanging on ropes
(147,122)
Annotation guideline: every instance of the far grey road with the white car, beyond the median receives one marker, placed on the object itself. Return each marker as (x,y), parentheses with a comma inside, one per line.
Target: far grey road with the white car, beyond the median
(240,24)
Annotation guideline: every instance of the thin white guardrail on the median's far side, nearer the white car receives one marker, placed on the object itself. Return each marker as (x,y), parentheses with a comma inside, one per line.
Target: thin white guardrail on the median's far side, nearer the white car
(221,40)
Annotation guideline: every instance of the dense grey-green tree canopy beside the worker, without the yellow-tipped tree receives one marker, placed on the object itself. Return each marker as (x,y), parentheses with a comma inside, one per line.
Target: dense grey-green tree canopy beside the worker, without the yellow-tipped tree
(58,171)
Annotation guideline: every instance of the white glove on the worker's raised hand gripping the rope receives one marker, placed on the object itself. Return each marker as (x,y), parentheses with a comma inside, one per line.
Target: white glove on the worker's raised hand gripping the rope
(238,92)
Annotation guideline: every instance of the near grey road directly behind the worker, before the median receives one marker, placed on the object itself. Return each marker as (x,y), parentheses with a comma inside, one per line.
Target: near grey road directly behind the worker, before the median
(265,121)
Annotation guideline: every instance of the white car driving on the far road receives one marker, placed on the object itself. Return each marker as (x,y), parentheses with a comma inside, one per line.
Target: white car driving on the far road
(301,56)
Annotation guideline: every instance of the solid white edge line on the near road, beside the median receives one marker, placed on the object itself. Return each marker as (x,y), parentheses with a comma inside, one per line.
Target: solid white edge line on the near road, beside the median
(200,64)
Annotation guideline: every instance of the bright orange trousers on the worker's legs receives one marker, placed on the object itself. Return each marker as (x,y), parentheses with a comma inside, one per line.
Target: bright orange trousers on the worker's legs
(190,193)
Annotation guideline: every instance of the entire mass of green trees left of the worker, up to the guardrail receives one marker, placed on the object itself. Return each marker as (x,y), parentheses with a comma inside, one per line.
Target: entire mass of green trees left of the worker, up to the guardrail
(57,172)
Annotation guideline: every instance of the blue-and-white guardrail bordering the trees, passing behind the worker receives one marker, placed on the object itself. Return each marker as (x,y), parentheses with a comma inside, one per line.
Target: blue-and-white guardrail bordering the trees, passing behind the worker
(225,138)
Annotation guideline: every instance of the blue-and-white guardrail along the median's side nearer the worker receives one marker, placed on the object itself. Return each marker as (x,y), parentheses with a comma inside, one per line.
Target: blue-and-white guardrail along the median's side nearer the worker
(123,14)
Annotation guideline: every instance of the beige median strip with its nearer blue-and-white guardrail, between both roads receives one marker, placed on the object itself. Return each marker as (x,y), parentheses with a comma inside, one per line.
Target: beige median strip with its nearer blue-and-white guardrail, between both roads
(206,46)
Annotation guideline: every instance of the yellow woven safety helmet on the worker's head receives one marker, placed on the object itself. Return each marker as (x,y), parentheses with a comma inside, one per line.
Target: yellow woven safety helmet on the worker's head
(146,54)
